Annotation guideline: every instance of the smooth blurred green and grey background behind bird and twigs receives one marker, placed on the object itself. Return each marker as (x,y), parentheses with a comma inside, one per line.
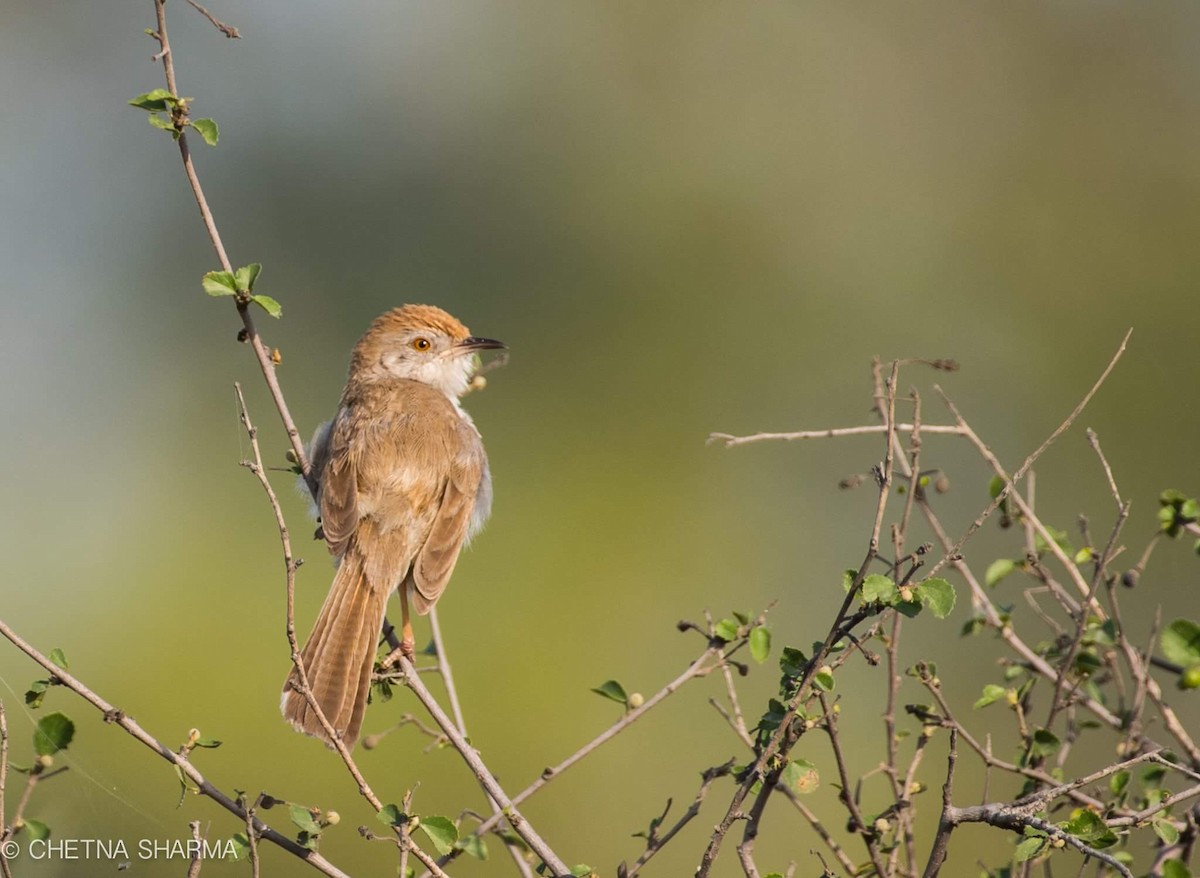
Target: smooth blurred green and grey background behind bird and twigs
(682,218)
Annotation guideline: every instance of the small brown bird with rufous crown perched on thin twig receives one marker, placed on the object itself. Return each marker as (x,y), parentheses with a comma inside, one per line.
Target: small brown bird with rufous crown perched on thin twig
(404,484)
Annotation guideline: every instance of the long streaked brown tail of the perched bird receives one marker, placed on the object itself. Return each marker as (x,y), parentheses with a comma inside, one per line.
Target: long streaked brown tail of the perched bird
(340,656)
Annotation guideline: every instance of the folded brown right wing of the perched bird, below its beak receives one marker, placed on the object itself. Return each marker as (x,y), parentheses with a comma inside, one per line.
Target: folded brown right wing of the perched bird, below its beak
(436,560)
